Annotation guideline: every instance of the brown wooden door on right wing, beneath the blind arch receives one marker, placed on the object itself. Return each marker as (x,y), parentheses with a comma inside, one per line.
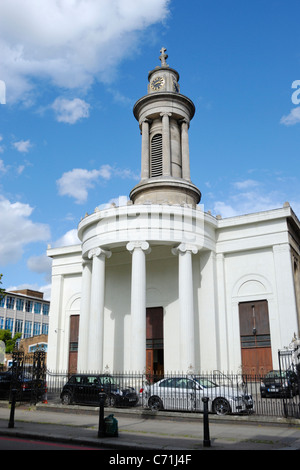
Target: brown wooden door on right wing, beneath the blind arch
(255,337)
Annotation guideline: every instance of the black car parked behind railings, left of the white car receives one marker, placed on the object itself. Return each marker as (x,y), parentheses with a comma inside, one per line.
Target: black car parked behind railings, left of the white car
(86,389)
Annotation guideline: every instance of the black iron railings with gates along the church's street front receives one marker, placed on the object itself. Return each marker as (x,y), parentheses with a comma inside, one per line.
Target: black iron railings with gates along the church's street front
(275,394)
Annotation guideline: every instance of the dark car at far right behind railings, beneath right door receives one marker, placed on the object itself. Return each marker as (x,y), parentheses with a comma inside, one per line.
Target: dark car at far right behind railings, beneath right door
(278,383)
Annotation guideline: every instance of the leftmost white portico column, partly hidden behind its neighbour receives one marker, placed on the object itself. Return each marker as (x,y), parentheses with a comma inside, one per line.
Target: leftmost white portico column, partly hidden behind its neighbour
(83,341)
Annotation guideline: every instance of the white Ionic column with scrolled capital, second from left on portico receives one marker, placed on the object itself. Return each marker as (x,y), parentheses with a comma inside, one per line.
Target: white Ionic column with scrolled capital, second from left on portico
(95,345)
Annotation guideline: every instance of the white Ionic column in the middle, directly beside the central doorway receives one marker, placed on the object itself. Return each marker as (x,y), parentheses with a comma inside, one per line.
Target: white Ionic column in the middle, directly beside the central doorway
(138,304)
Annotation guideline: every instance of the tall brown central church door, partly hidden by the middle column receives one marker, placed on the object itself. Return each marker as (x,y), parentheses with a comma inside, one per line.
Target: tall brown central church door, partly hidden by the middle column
(154,340)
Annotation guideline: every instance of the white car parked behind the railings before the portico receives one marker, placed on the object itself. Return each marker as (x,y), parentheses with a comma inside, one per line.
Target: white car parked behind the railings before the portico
(186,393)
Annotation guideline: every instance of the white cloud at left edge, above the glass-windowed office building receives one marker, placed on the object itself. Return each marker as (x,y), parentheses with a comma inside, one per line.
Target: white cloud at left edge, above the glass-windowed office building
(17,230)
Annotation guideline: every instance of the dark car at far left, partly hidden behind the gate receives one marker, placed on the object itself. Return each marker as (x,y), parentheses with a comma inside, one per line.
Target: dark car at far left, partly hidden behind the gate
(27,388)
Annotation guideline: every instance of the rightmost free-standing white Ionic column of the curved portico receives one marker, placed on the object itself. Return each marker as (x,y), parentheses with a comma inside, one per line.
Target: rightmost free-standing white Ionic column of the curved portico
(186,301)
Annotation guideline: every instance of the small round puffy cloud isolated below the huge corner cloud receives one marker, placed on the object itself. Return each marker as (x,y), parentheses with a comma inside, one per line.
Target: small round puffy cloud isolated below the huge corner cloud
(70,111)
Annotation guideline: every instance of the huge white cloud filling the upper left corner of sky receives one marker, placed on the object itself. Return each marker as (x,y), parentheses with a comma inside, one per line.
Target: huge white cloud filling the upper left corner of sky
(69,43)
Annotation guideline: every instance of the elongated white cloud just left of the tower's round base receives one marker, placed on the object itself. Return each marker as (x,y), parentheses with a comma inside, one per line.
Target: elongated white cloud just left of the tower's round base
(76,183)
